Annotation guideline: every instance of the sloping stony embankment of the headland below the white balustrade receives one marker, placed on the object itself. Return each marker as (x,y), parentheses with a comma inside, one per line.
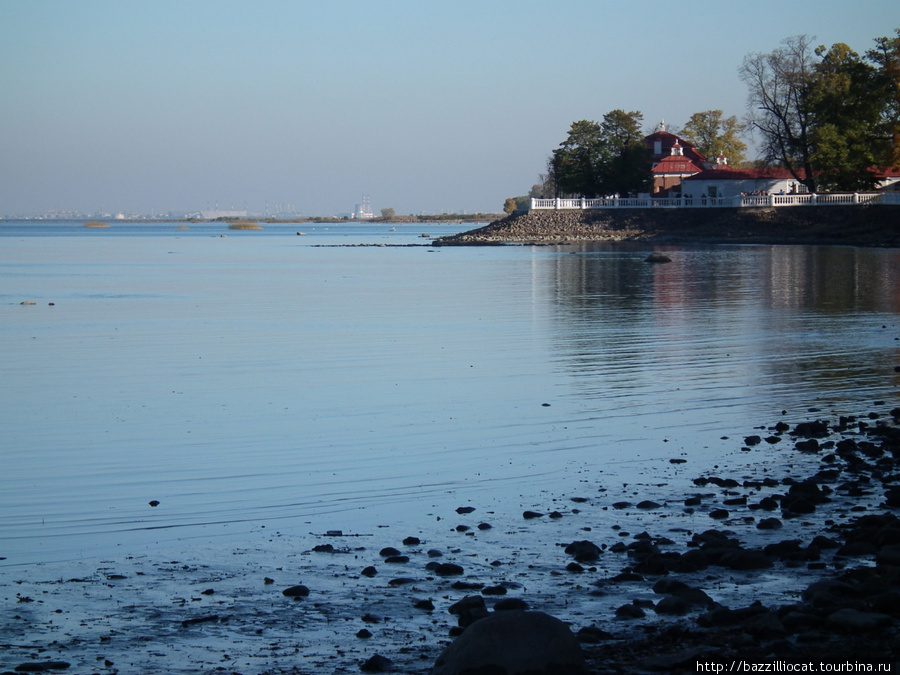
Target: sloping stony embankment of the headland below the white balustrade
(864,225)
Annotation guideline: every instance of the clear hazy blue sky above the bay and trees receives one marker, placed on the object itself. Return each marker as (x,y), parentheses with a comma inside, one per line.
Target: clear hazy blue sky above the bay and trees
(425,105)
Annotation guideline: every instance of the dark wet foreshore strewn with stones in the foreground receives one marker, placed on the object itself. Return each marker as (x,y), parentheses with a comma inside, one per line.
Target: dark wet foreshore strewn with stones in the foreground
(788,566)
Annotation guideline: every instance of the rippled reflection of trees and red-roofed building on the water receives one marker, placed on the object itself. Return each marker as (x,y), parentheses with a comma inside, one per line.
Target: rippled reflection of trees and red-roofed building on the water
(727,320)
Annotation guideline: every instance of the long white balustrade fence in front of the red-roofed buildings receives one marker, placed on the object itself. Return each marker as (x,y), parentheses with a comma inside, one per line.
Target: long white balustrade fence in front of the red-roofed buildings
(733,202)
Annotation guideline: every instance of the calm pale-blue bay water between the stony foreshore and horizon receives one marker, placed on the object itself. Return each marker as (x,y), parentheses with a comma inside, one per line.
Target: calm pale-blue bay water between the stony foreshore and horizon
(265,379)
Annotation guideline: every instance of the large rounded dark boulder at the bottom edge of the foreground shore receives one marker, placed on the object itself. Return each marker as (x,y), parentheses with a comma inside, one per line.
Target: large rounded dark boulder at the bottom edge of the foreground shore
(511,643)
